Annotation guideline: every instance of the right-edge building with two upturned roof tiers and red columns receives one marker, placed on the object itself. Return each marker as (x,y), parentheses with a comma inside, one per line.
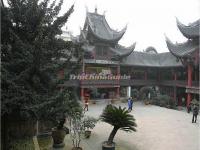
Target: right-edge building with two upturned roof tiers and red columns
(188,54)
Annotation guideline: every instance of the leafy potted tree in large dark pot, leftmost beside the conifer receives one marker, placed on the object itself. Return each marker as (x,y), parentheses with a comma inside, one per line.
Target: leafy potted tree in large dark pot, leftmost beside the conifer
(59,115)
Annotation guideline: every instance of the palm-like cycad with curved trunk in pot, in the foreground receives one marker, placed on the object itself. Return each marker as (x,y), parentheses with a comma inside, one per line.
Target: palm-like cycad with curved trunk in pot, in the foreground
(119,118)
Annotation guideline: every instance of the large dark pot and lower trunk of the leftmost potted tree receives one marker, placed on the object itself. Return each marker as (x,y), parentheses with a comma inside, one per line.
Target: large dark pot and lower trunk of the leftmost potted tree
(58,134)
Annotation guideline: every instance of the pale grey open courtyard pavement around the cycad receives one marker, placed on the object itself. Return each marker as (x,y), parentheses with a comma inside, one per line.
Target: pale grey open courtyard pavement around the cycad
(158,129)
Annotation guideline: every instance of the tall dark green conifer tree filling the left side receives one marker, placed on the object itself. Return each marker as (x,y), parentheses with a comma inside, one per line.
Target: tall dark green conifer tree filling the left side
(31,58)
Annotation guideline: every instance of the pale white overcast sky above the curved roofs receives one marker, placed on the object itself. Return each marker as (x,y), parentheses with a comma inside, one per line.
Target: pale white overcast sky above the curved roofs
(148,20)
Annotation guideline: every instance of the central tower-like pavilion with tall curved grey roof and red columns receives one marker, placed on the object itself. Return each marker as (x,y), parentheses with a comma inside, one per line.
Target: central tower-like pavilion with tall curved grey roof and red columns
(102,55)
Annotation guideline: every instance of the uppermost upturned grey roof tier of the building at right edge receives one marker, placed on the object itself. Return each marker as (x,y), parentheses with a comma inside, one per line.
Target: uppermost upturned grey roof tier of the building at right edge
(190,31)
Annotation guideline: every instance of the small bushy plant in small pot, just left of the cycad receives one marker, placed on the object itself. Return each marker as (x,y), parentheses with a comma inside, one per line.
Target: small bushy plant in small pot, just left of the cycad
(89,123)
